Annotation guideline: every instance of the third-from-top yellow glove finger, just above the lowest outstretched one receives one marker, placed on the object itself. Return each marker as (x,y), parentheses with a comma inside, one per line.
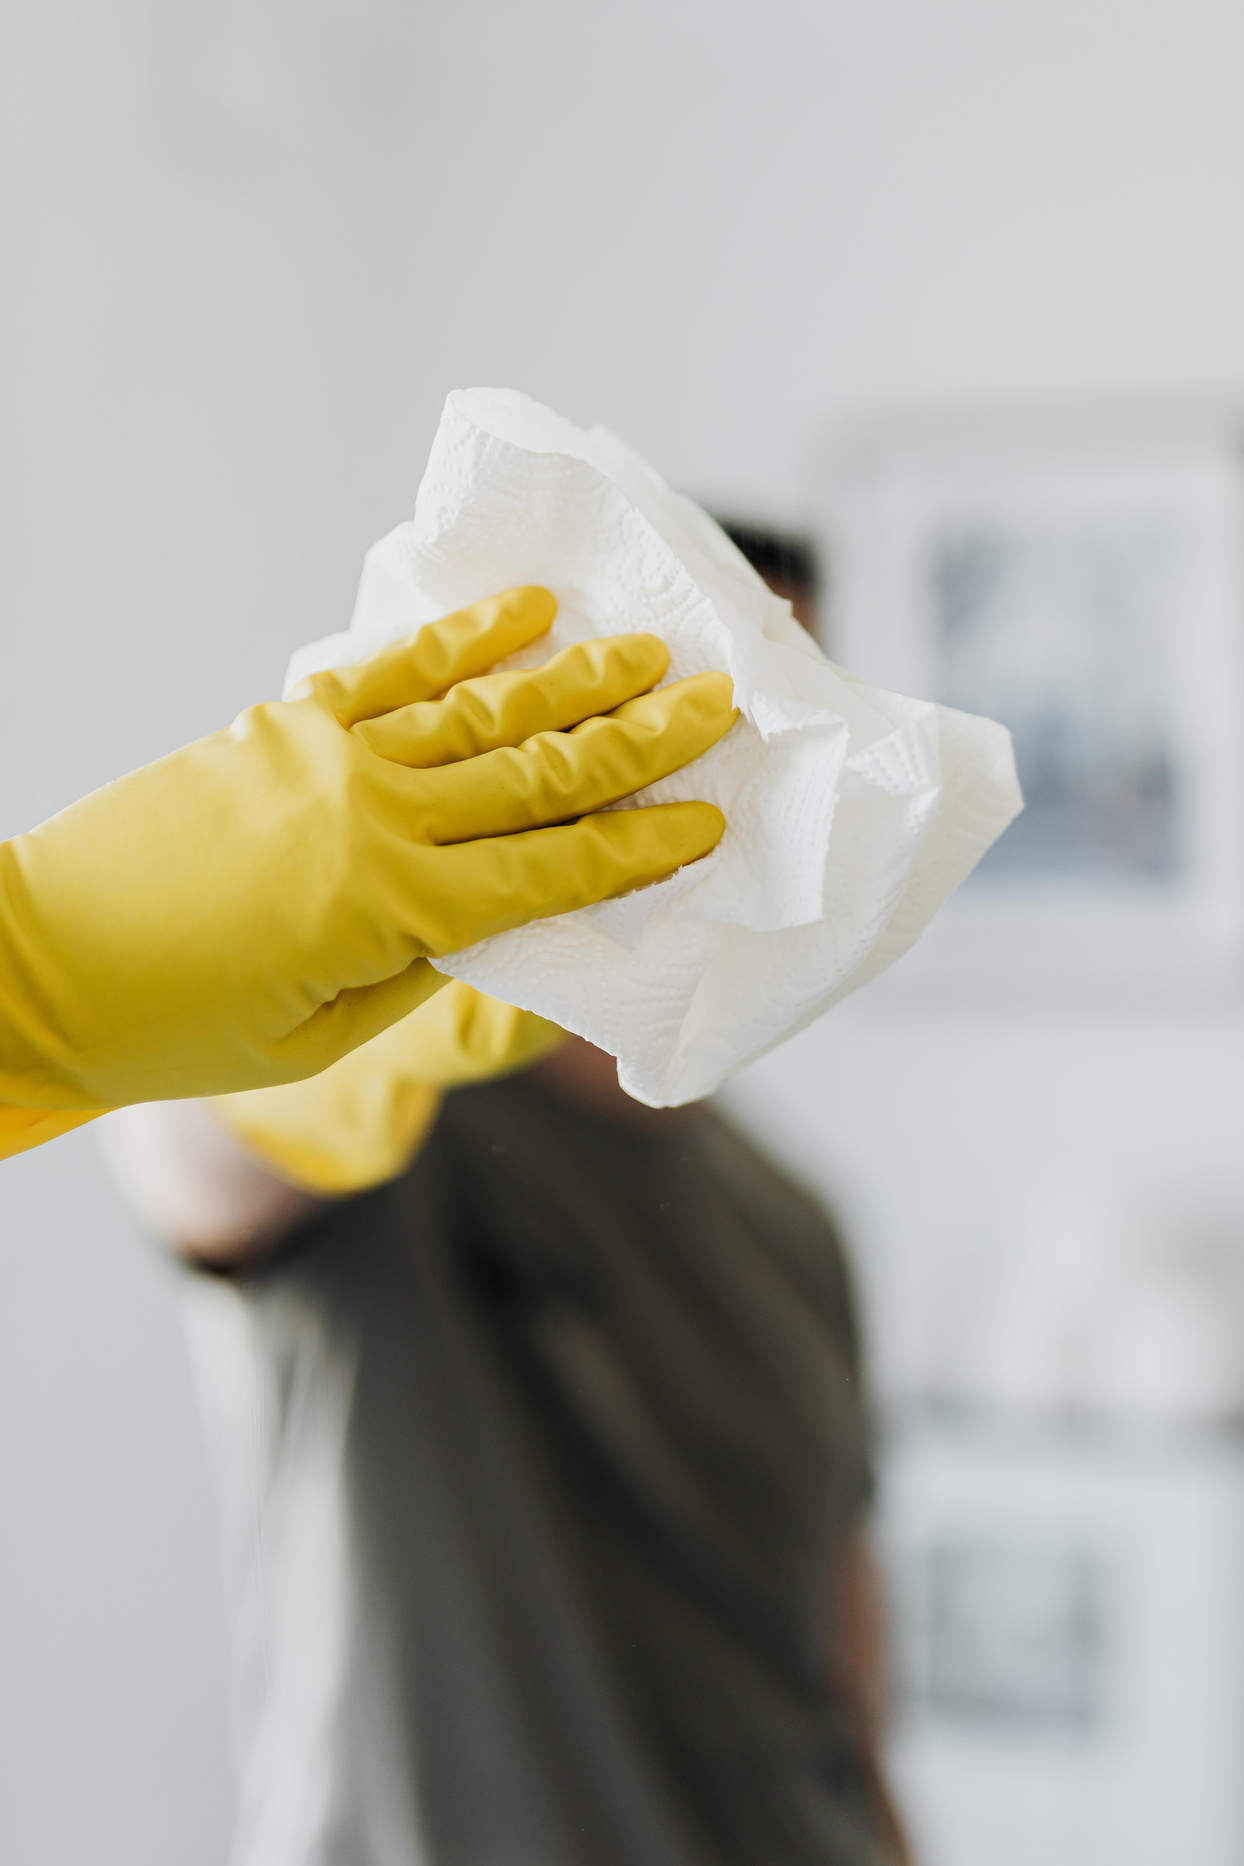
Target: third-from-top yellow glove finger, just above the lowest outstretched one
(560,775)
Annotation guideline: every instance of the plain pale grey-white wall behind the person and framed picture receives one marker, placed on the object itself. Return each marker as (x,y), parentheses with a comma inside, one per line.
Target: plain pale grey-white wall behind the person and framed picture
(249,247)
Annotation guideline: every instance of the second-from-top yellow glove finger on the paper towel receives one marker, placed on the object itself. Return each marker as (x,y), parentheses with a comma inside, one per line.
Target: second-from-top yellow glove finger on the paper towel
(501,710)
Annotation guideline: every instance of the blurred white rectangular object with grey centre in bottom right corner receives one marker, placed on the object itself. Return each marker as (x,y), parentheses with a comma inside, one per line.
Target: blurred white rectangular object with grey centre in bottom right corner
(1071,1634)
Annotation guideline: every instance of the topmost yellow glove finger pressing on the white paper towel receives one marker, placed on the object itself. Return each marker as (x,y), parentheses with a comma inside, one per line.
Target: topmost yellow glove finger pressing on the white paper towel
(435,658)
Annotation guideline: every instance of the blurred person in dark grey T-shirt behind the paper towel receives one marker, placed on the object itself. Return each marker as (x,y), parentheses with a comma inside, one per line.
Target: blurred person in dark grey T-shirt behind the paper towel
(544,1464)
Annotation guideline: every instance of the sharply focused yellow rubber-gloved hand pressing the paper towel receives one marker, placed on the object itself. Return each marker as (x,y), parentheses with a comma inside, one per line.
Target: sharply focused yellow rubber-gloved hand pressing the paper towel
(262,902)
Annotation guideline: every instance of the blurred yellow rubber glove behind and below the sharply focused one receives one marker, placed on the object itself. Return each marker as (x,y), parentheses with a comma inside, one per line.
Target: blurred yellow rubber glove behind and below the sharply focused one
(363,1121)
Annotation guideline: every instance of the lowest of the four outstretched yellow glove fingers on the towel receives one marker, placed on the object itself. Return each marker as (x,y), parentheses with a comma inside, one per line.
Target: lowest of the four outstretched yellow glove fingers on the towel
(506,882)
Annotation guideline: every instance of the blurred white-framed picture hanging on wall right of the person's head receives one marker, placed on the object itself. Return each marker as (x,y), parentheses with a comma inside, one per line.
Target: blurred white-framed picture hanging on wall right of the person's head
(1077,574)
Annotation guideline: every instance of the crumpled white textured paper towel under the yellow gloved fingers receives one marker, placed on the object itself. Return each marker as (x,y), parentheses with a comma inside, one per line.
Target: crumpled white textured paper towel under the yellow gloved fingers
(851,813)
